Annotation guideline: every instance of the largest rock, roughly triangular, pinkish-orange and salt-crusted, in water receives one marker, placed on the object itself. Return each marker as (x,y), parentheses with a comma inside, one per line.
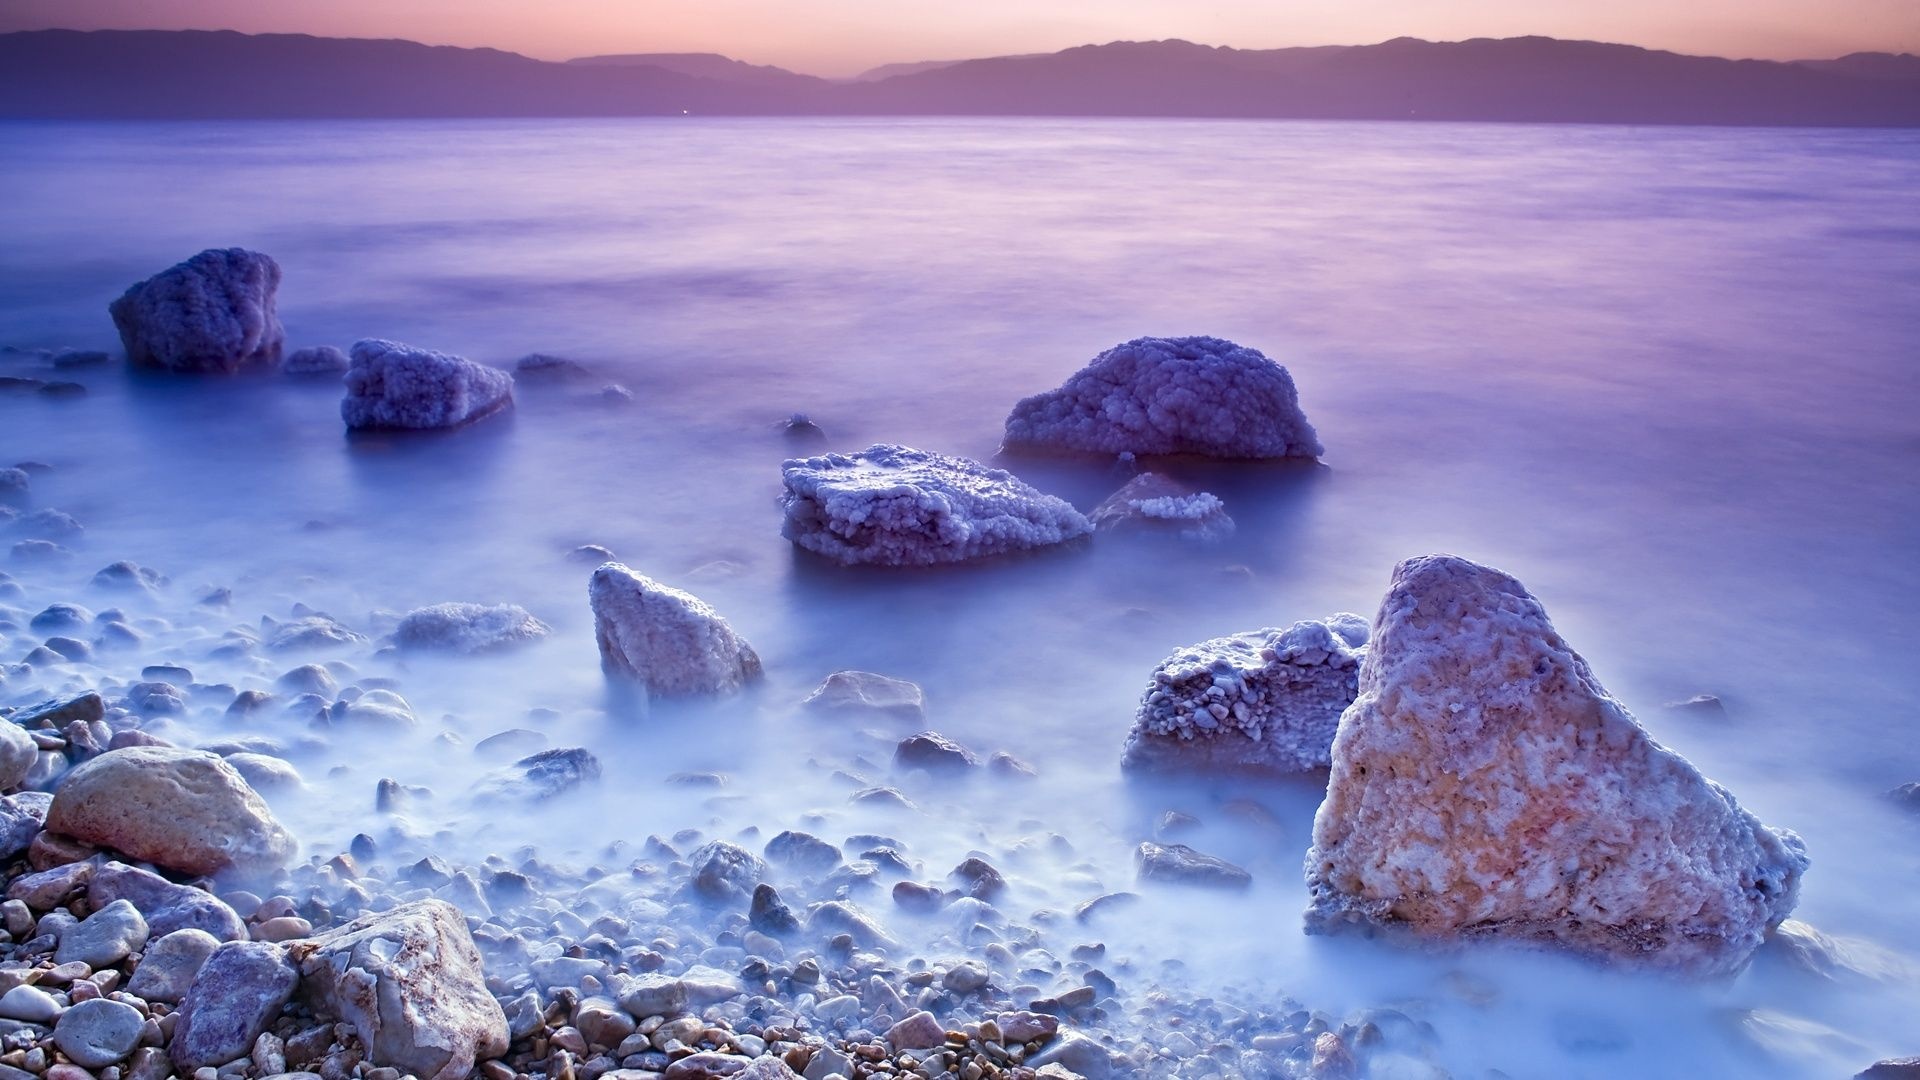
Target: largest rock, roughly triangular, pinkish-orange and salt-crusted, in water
(1487,787)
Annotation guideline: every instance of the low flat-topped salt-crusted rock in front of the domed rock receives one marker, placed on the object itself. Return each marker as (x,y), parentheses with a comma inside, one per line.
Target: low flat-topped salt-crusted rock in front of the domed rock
(896,506)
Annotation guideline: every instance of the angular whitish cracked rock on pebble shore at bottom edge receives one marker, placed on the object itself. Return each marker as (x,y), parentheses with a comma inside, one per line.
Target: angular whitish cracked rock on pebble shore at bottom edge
(410,985)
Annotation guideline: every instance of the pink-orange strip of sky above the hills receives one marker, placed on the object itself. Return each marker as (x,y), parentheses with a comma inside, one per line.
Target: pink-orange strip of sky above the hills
(844,37)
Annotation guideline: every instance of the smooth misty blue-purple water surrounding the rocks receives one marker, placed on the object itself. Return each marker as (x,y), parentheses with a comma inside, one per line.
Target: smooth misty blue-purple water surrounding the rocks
(1666,378)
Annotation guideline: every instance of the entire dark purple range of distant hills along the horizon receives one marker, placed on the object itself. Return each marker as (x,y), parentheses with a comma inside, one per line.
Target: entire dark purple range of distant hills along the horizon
(222,74)
